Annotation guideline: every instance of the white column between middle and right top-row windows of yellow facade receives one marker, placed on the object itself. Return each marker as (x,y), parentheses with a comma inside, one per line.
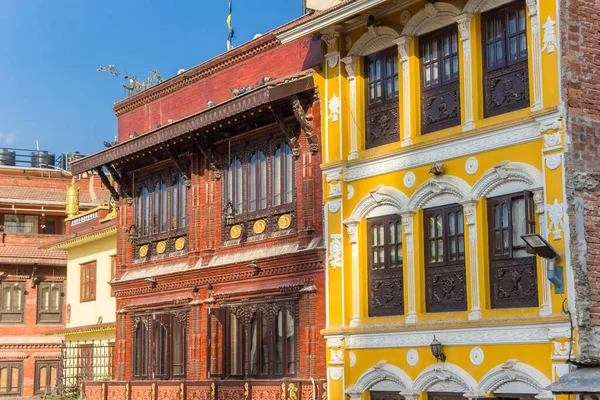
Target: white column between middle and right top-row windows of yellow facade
(464,26)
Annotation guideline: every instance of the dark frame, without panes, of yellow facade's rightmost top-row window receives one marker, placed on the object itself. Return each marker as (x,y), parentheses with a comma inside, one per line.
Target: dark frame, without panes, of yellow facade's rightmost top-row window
(500,77)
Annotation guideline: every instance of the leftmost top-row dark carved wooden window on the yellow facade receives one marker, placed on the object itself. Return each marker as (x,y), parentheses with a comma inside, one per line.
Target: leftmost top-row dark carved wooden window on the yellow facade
(381,85)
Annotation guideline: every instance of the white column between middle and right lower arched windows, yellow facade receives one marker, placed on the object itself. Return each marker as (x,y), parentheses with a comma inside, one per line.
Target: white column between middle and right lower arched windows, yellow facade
(470,211)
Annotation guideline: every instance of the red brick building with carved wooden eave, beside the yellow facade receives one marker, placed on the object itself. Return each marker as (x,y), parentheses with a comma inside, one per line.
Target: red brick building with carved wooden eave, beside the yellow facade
(220,278)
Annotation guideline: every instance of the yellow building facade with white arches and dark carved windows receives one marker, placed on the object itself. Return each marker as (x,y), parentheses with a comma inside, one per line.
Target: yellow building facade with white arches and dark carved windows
(443,144)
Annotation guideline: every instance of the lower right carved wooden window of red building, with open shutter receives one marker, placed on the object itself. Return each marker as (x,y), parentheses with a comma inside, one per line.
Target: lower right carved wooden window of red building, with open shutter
(253,340)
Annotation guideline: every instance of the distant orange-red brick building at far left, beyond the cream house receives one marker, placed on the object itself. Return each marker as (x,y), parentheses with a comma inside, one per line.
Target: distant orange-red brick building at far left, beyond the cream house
(32,280)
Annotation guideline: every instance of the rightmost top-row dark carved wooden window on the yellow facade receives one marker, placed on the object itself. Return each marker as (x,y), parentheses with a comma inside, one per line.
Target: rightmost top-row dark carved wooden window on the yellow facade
(506,74)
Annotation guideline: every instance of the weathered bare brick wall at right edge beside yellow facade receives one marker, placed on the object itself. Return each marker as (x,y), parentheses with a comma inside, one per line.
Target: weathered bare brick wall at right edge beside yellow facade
(580,34)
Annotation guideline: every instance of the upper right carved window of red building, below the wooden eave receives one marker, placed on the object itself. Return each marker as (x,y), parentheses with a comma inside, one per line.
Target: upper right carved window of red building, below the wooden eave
(259,180)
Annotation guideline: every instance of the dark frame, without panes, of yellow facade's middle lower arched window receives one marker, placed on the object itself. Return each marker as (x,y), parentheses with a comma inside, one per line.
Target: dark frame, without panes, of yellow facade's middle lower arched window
(449,272)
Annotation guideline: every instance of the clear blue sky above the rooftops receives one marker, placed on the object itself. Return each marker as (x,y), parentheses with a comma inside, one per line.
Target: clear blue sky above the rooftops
(50,50)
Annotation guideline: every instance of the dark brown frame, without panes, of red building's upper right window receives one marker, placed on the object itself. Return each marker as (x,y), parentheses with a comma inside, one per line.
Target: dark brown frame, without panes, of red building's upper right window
(243,154)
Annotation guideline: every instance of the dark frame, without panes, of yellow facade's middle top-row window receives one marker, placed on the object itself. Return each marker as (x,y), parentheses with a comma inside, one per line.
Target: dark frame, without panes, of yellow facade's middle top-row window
(437,92)
